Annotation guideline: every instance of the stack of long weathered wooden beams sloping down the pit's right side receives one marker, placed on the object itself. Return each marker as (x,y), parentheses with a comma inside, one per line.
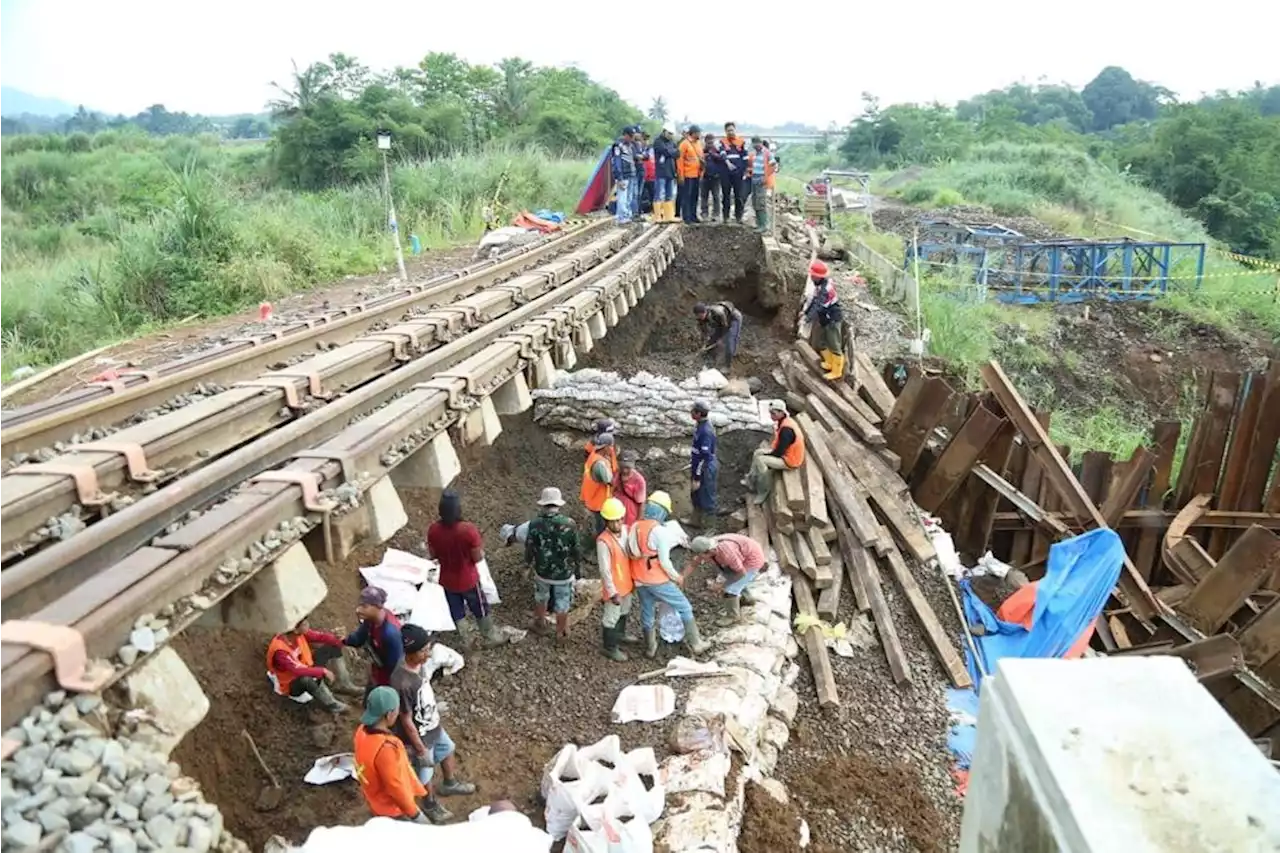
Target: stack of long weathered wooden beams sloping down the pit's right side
(847,517)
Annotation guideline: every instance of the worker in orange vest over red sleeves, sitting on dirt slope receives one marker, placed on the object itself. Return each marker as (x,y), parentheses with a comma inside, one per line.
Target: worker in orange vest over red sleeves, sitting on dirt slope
(307,665)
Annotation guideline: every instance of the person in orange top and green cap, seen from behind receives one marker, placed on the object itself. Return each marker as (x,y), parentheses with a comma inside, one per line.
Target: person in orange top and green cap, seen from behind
(383,770)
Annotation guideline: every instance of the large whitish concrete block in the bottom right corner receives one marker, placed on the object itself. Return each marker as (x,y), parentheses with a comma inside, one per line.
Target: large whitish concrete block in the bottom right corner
(1114,755)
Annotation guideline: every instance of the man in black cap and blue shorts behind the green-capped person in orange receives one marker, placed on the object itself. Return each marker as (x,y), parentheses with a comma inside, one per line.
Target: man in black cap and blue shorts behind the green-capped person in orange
(420,729)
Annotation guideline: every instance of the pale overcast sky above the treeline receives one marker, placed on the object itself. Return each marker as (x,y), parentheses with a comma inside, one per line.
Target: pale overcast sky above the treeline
(217,58)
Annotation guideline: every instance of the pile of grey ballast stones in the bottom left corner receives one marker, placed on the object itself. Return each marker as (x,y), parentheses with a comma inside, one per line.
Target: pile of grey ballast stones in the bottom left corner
(81,784)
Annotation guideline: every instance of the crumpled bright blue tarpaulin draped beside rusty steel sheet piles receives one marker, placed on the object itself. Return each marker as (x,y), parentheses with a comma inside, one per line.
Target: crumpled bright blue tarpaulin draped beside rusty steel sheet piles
(1081,576)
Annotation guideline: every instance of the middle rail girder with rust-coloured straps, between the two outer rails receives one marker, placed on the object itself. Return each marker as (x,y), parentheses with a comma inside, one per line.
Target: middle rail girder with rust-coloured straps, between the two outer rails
(95,480)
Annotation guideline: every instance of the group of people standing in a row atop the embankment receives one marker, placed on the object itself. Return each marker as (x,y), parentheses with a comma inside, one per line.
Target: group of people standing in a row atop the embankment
(700,179)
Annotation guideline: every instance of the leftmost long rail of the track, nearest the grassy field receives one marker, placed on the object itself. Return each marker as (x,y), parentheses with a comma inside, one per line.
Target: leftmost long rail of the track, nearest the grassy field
(67,417)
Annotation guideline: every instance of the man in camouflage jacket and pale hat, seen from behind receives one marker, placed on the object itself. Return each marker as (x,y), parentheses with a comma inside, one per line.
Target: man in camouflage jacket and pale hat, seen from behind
(552,551)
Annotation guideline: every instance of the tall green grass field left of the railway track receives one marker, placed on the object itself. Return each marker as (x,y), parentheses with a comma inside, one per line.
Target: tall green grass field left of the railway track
(113,239)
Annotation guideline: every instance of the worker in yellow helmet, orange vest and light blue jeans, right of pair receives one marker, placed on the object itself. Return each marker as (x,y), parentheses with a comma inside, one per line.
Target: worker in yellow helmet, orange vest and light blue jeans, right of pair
(650,546)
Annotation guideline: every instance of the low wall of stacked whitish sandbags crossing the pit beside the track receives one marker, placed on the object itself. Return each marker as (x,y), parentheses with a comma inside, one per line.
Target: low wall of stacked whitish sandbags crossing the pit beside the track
(646,405)
